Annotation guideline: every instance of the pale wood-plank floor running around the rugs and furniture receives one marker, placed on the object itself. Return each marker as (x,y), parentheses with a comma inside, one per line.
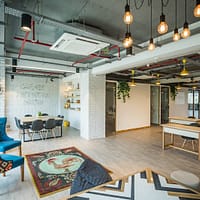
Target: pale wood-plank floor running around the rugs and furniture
(123,154)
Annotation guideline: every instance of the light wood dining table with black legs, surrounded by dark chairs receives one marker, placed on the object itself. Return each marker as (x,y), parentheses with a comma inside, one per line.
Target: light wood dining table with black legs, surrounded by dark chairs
(43,118)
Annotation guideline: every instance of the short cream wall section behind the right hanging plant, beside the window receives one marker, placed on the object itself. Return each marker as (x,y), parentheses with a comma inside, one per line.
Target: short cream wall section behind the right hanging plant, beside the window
(179,107)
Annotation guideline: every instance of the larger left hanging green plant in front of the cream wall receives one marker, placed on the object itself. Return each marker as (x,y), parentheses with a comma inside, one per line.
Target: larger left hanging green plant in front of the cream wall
(123,90)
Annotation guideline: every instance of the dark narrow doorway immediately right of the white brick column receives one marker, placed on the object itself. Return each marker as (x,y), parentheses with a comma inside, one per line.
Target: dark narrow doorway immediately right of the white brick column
(110,108)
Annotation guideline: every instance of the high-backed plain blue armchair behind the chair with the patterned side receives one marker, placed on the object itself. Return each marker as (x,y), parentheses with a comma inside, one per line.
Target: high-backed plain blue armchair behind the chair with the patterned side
(6,142)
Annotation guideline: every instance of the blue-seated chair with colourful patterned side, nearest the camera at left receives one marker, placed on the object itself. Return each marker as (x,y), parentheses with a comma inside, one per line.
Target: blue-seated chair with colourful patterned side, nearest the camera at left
(8,162)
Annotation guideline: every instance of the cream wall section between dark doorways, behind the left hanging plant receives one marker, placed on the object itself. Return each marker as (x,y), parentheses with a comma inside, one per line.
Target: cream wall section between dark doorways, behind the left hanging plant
(135,112)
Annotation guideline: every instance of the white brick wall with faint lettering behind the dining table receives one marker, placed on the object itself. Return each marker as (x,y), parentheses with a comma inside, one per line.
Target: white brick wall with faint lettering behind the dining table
(30,95)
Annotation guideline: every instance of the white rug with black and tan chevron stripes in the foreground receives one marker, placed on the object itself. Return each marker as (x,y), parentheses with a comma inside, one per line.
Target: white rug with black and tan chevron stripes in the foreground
(144,185)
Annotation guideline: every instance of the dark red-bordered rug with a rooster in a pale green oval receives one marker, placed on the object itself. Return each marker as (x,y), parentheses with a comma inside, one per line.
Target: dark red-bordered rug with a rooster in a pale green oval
(55,170)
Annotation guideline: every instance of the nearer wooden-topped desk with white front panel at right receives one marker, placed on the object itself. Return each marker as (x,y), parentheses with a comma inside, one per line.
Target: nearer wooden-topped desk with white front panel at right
(182,130)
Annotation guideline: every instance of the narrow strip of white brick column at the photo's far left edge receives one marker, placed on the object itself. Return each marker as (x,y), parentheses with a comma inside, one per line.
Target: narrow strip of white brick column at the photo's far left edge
(2,59)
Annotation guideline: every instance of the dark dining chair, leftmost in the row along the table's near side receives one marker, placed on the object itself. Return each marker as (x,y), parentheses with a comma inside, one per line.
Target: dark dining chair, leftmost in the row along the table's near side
(37,128)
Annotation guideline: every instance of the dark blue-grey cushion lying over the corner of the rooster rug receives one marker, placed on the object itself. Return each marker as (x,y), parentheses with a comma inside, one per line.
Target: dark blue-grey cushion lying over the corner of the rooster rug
(90,174)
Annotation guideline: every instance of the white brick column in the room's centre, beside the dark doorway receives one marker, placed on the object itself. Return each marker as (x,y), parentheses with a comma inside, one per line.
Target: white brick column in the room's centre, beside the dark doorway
(92,105)
